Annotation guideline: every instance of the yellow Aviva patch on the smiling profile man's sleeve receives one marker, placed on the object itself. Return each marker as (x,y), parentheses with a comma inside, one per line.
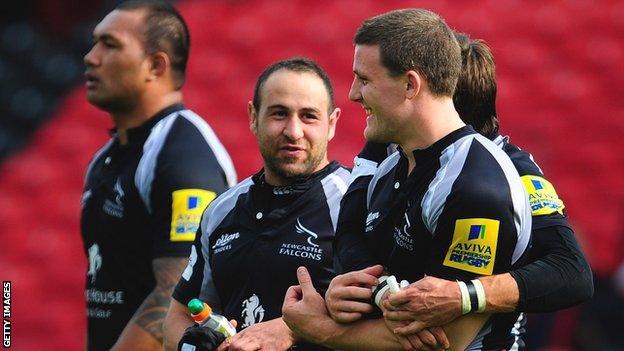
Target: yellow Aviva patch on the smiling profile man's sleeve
(473,248)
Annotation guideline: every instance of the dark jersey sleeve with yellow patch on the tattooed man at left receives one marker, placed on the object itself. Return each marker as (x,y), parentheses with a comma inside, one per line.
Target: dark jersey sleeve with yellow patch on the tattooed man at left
(187,179)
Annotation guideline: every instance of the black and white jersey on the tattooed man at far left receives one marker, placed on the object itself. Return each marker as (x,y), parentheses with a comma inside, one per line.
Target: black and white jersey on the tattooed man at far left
(141,201)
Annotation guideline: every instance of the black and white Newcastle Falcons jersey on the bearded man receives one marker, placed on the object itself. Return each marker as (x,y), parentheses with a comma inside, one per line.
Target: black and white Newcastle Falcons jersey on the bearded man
(252,239)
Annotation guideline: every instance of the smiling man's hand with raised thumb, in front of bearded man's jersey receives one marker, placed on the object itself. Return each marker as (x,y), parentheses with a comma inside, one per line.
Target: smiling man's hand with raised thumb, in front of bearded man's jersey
(304,311)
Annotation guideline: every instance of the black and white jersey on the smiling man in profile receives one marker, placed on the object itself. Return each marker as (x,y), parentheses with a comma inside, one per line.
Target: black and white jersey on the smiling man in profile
(461,213)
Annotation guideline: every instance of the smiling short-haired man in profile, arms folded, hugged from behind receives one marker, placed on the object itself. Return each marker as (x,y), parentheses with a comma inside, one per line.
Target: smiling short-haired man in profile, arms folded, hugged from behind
(449,203)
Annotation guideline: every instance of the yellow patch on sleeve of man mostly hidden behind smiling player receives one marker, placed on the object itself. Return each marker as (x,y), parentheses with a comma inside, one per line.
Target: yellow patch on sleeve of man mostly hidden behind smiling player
(542,196)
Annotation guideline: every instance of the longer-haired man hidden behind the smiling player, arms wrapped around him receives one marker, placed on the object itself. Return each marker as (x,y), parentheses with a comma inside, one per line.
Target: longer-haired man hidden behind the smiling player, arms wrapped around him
(558,276)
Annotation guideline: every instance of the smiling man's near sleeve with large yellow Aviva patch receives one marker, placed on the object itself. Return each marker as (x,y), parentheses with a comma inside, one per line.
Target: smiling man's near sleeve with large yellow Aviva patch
(479,230)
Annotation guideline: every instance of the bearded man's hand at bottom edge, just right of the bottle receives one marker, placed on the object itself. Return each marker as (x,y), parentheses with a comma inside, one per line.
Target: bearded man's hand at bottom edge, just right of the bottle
(270,335)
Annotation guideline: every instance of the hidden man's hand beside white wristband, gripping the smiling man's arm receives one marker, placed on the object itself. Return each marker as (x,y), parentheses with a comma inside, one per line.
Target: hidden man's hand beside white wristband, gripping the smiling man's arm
(428,302)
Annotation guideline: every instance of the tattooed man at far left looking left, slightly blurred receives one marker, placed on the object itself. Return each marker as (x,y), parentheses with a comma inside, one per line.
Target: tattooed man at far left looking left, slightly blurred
(146,188)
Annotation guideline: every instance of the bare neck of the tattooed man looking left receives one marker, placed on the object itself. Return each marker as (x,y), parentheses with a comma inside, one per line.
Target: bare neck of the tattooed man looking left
(147,108)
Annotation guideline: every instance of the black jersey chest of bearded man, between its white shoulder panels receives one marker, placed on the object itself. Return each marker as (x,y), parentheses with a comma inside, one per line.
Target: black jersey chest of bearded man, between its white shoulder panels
(255,245)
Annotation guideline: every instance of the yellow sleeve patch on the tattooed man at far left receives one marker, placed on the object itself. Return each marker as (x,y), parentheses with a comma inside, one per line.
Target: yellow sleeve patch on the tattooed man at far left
(187,207)
